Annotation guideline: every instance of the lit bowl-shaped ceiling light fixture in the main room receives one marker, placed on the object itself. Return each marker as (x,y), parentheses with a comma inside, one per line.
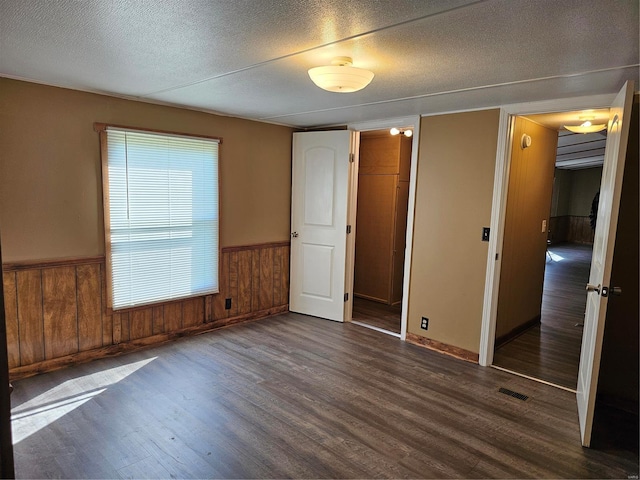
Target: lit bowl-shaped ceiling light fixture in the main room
(341,76)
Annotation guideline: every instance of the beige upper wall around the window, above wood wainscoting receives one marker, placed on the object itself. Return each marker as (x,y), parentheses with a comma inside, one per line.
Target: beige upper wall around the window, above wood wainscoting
(50,182)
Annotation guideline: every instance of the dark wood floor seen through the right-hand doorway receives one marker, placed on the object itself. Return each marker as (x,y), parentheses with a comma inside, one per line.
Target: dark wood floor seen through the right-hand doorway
(551,351)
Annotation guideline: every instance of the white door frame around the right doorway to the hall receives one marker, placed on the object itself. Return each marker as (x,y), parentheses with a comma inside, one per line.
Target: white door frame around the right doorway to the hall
(499,202)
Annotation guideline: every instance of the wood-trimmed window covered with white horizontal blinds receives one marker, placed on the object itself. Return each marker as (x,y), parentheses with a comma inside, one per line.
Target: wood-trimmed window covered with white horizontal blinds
(161,216)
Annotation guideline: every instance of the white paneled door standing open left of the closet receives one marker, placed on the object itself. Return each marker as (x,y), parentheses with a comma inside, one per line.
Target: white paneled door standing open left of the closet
(319,201)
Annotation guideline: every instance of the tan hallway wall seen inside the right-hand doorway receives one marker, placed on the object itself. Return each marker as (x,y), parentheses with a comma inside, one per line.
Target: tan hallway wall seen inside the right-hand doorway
(524,244)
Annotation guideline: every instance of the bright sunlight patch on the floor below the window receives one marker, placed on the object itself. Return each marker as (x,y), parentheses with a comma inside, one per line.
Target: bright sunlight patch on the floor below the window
(35,414)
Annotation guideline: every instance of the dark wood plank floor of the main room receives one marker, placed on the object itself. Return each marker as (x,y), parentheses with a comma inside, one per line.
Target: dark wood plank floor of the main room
(297,397)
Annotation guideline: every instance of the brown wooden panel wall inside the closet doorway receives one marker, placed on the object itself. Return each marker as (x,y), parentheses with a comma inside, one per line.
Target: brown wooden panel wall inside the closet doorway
(381,221)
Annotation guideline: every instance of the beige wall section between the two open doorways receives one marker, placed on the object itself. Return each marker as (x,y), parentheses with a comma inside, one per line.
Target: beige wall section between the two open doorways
(456,164)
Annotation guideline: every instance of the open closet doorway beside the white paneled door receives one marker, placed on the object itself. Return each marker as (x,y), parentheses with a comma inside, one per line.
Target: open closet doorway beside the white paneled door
(381,216)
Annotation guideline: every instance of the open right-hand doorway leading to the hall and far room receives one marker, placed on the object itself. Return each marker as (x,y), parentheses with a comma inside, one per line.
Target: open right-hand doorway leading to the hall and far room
(547,246)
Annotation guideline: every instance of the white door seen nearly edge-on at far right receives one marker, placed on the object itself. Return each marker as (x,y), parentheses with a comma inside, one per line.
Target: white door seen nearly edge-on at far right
(604,240)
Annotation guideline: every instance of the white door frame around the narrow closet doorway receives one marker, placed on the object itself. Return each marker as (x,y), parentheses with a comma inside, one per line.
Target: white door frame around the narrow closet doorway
(412,122)
